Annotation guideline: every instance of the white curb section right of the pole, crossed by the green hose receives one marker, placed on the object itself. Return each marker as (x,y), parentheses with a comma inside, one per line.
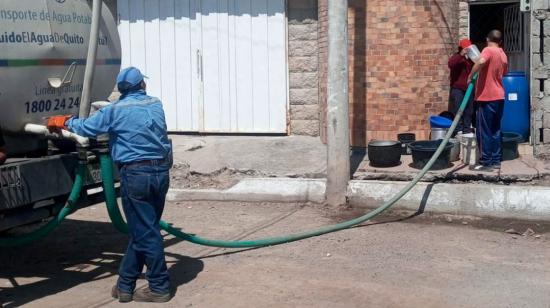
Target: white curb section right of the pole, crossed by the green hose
(485,200)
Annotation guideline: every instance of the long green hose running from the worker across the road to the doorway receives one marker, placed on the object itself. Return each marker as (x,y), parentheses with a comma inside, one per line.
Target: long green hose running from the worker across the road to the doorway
(106,167)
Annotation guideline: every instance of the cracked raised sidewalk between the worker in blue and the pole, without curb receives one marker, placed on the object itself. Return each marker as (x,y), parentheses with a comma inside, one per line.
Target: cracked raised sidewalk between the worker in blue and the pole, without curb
(294,156)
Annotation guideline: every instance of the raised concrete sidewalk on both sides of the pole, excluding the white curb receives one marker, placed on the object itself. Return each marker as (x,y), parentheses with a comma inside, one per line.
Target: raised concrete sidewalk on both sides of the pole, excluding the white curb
(221,161)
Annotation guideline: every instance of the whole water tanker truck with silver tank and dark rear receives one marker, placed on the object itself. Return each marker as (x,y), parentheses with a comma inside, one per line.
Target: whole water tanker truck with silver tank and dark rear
(44,66)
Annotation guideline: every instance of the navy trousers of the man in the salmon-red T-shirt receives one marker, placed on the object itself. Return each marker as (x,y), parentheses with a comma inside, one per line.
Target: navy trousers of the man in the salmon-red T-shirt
(488,133)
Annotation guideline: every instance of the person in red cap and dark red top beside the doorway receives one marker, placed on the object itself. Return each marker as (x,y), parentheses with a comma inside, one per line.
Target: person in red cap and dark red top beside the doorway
(460,68)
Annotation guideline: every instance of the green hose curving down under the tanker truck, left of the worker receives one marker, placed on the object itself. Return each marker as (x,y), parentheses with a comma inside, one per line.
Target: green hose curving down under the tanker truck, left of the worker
(12,241)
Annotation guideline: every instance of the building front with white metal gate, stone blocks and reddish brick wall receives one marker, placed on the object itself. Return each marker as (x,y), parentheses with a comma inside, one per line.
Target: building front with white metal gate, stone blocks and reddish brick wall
(398,55)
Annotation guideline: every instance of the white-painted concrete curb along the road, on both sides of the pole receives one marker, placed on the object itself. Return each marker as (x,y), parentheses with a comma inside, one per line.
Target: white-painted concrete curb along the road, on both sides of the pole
(488,200)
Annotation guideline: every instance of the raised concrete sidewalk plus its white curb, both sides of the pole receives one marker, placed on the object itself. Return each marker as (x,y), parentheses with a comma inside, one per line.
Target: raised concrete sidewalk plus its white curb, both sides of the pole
(292,169)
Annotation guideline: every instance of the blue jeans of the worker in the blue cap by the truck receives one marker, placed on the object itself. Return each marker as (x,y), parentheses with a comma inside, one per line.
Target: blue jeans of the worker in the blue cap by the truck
(143,193)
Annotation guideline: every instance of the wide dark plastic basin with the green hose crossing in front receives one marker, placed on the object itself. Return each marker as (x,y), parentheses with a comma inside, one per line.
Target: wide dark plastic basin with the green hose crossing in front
(423,150)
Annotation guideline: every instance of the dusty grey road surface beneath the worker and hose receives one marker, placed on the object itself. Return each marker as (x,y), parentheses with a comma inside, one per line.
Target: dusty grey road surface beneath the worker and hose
(419,262)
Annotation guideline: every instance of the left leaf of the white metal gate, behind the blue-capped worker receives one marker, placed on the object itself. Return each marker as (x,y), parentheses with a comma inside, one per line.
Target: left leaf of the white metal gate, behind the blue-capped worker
(161,37)
